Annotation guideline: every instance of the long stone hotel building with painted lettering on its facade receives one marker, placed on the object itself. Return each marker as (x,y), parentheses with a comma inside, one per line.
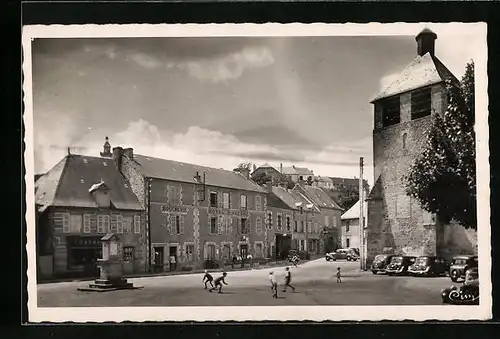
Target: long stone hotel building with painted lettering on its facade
(195,214)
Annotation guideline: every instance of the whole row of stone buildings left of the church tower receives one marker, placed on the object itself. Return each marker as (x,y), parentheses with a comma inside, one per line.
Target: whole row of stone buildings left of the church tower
(171,215)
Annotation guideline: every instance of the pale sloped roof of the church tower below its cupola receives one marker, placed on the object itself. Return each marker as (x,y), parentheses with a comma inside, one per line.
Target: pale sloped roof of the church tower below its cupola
(422,71)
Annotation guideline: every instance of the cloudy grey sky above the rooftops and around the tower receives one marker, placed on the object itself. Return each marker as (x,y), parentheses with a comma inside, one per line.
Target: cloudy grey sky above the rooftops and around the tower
(220,101)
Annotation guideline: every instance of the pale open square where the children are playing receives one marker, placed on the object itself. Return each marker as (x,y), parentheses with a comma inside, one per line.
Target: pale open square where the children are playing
(315,284)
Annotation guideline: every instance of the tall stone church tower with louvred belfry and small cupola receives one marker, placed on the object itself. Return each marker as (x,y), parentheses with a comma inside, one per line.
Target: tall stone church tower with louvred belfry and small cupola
(402,113)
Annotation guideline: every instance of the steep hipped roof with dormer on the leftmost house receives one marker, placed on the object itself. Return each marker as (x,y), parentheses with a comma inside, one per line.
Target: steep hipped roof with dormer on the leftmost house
(67,184)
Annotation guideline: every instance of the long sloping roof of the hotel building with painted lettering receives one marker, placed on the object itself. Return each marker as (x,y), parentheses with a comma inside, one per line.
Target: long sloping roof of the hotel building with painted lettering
(184,172)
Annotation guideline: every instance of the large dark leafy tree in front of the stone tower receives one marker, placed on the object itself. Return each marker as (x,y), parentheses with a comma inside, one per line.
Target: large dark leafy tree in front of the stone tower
(443,177)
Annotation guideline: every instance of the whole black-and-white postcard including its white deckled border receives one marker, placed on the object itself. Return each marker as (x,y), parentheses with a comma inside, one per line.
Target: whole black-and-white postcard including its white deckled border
(288,171)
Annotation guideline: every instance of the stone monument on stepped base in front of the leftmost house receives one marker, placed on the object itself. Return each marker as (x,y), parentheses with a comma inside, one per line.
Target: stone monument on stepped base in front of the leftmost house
(111,271)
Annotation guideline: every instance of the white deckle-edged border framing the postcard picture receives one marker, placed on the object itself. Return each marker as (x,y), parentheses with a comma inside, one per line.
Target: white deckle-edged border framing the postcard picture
(271,313)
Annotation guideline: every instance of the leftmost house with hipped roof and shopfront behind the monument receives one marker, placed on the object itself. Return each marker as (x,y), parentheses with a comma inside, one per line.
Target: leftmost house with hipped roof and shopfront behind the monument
(80,200)
